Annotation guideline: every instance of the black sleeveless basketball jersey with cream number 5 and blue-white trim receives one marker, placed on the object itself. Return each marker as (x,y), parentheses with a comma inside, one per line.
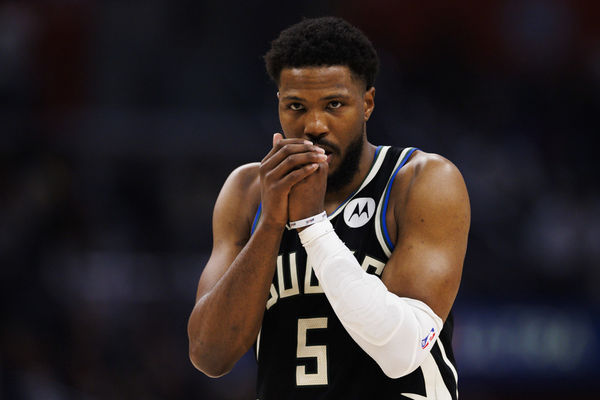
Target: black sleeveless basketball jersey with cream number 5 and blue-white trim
(303,351)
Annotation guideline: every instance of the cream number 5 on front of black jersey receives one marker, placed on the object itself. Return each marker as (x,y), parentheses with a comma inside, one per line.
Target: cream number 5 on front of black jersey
(303,351)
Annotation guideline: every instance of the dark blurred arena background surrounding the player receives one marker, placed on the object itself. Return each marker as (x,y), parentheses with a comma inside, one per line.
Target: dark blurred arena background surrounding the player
(120,121)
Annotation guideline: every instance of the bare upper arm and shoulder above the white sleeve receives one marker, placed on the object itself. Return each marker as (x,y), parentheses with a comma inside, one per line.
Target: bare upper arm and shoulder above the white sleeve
(430,220)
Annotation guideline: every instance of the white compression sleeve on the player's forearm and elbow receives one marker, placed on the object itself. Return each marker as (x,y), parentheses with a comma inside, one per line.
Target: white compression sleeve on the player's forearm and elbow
(397,332)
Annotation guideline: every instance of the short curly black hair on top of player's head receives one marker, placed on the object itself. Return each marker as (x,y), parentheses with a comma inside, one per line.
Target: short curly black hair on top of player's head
(324,41)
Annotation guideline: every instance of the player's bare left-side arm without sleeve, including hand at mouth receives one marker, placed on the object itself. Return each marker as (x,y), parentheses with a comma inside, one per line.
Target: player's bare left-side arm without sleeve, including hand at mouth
(234,286)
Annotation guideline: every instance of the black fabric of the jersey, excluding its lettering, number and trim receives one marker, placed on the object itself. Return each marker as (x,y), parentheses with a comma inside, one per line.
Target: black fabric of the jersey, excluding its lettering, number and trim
(351,373)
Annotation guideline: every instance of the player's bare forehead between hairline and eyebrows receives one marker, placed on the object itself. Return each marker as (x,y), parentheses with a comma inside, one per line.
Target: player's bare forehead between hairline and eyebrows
(325,78)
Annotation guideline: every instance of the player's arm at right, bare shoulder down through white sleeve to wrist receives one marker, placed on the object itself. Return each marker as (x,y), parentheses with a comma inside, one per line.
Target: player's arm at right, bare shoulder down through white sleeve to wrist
(389,318)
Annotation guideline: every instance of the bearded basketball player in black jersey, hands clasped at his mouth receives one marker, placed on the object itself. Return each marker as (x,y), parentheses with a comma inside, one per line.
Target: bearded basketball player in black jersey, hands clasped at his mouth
(338,260)
